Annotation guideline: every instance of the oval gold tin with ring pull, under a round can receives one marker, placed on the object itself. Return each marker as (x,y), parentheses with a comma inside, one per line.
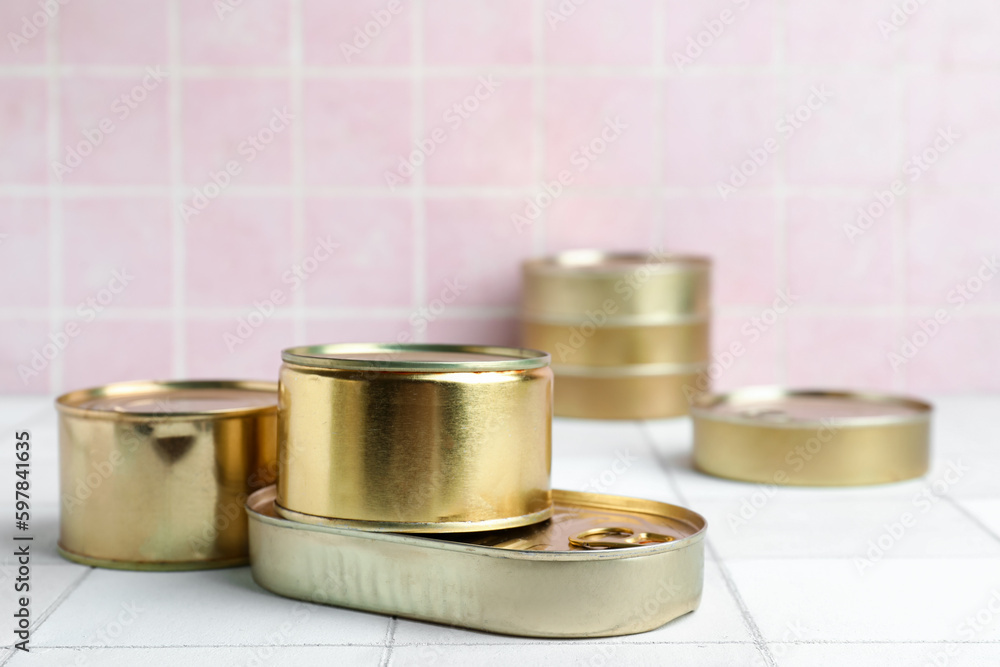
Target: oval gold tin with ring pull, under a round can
(602,566)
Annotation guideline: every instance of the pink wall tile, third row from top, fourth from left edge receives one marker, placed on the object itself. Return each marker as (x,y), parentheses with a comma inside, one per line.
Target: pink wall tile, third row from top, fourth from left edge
(373,266)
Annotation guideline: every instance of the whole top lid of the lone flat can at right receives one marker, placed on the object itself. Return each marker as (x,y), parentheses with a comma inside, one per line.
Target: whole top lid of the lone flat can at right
(778,407)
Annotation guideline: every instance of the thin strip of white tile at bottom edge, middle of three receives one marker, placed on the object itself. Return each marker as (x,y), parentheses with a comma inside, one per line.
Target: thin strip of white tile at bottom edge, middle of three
(575,655)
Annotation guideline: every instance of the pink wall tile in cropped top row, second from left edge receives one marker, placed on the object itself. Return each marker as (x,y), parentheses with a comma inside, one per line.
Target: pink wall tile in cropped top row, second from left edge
(105,32)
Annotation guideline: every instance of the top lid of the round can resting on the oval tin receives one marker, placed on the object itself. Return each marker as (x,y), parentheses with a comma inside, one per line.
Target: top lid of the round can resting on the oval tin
(415,357)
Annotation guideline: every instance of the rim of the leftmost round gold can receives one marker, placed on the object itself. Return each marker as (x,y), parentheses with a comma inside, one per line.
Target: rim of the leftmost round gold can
(69,402)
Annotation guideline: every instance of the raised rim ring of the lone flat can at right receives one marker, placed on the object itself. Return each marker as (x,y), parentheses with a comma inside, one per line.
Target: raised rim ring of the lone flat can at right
(703,406)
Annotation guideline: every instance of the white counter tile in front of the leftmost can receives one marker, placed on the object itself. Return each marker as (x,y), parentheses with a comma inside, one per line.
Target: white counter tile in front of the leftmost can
(208,608)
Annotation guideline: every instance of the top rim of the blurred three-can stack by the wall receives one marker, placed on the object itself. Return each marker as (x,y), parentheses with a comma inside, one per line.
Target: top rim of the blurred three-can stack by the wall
(597,262)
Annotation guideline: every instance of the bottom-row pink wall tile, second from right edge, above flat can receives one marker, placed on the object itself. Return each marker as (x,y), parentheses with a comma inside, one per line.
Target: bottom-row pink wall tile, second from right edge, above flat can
(843,352)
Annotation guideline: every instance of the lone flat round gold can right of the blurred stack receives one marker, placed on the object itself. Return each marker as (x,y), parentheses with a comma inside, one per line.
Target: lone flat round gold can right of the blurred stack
(811,438)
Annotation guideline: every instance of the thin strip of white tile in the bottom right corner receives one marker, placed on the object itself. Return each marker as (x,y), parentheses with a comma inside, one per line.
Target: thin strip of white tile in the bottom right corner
(880,655)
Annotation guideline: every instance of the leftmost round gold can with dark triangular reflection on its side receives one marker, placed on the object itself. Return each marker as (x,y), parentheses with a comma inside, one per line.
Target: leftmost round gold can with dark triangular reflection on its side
(155,475)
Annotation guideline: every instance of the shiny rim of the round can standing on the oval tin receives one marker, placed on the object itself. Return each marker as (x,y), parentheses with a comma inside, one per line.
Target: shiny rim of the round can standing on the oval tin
(319,356)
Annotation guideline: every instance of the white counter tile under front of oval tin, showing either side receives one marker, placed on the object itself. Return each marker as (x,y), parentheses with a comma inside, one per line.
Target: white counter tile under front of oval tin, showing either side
(718,619)
